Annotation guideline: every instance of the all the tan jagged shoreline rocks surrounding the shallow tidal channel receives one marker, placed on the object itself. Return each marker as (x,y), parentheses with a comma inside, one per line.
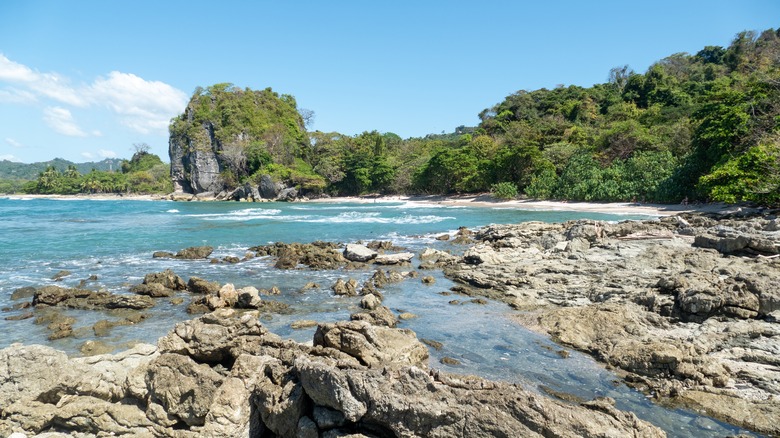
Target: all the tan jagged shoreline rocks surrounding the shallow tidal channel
(685,308)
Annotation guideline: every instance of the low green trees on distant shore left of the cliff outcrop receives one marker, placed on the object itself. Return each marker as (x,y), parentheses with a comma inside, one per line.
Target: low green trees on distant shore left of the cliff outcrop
(144,173)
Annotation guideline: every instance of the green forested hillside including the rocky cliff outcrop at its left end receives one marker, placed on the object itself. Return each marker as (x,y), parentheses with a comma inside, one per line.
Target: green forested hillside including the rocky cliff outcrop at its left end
(700,126)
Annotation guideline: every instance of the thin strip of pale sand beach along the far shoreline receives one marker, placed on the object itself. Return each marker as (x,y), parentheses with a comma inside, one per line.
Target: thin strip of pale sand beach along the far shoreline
(483,200)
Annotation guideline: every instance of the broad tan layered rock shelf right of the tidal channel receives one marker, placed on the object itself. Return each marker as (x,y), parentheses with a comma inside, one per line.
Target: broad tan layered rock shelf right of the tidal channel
(686,307)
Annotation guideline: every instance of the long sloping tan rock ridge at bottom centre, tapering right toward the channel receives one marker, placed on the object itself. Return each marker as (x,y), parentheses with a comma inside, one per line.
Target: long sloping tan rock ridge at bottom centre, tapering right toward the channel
(411,402)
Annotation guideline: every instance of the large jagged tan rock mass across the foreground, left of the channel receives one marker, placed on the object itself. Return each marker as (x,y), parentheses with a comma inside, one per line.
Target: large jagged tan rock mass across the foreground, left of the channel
(225,375)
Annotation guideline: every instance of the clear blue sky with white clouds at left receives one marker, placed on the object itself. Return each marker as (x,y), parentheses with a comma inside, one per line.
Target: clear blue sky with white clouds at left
(85,80)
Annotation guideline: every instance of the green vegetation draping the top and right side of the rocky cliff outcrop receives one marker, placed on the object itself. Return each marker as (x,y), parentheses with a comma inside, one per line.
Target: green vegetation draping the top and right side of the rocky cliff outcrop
(256,132)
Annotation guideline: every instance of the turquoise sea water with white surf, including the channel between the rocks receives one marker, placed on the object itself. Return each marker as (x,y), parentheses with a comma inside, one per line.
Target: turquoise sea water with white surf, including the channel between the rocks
(115,239)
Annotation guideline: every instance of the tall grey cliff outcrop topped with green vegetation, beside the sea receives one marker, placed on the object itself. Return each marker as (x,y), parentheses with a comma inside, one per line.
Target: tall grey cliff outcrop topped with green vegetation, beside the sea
(226,134)
